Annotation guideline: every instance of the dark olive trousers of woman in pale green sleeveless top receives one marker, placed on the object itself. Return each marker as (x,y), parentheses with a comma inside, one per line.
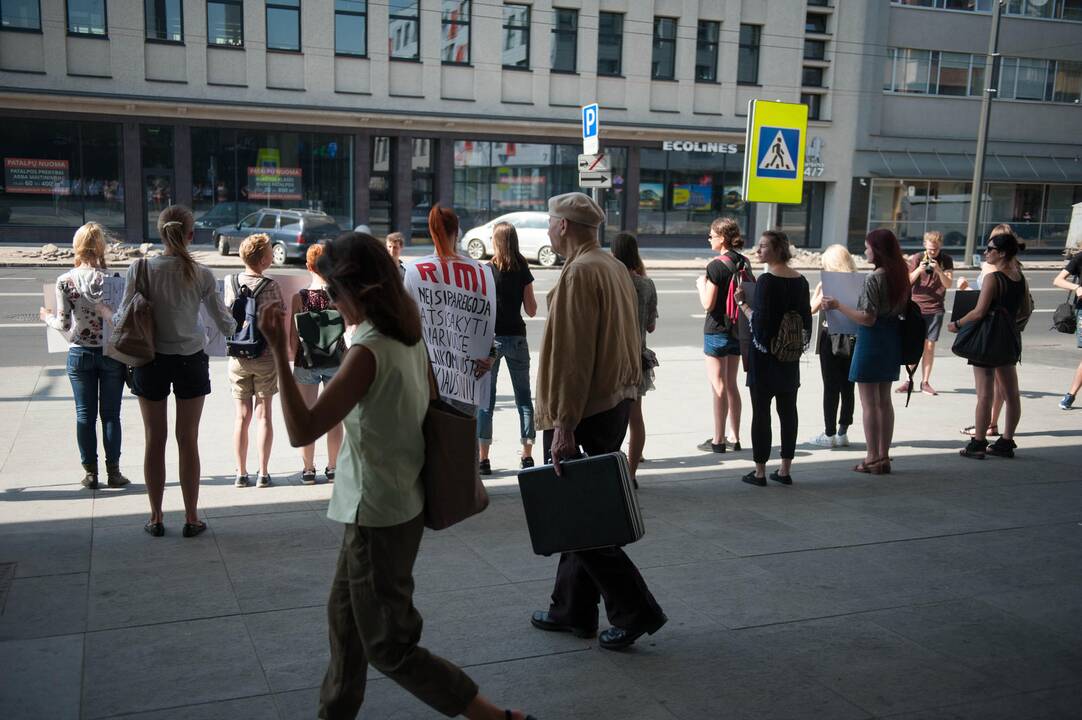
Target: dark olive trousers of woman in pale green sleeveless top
(373,620)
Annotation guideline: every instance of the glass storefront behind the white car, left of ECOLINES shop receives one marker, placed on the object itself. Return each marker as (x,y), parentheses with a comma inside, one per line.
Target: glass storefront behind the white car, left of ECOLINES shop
(494,179)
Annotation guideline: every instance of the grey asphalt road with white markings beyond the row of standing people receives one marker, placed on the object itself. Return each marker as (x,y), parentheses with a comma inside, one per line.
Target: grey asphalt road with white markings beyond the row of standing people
(23,338)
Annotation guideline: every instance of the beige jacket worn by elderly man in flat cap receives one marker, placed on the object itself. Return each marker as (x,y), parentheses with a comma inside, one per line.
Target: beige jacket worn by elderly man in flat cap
(590,354)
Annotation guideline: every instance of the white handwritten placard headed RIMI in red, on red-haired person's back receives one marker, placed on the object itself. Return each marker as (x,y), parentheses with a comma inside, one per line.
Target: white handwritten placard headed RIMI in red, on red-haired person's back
(457,299)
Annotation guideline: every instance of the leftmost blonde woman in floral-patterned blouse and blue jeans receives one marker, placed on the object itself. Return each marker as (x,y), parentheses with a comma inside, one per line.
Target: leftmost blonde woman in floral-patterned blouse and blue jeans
(97,381)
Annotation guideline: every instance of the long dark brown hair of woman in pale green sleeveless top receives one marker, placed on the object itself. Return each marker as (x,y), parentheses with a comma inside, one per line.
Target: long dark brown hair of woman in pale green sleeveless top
(359,266)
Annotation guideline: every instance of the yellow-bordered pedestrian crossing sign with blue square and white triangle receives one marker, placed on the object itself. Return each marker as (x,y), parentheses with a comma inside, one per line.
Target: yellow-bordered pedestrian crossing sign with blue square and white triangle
(774,152)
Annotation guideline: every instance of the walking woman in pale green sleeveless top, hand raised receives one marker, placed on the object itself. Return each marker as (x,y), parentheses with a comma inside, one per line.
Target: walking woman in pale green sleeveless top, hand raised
(381,396)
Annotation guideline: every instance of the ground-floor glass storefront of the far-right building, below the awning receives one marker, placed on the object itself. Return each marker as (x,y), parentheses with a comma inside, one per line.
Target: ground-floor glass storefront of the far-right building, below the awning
(1039,214)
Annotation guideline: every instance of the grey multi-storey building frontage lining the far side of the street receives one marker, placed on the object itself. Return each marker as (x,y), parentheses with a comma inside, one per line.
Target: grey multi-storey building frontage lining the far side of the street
(373,112)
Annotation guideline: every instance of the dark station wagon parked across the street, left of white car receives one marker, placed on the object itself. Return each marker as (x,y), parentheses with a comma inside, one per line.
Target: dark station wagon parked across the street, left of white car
(293,232)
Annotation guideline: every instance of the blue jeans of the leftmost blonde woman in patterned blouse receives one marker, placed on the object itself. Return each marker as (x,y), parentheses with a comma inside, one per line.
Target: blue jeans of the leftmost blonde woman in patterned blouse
(98,384)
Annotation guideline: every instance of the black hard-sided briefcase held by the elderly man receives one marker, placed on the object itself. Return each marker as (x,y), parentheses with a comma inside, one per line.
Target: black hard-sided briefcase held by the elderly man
(592,505)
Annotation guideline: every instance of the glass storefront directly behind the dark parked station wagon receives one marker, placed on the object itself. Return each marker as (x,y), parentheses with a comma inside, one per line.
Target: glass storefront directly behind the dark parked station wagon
(235,172)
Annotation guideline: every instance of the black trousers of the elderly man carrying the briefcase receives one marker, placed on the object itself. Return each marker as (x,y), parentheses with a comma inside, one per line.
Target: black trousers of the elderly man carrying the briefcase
(585,578)
